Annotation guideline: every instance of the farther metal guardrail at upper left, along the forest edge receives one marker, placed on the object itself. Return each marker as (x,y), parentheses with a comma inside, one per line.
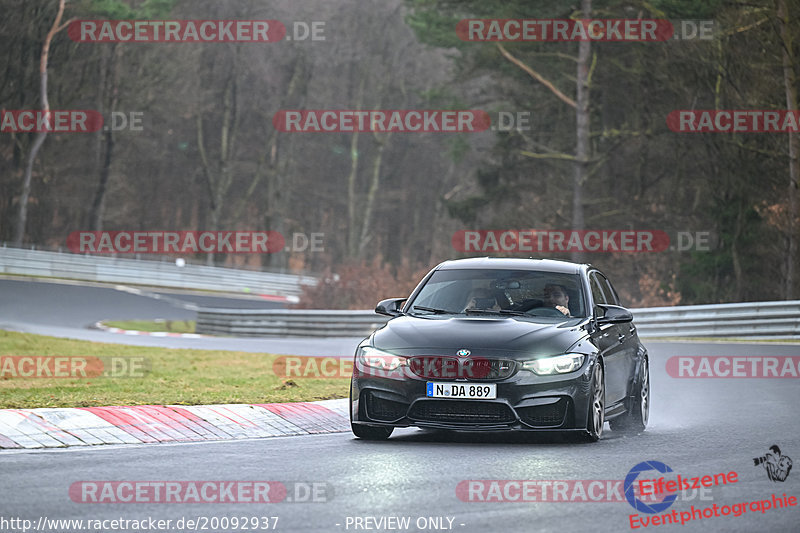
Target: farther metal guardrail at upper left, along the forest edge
(154,273)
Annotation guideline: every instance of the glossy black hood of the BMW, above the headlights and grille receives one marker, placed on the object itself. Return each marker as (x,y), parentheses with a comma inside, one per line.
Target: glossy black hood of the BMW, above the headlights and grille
(481,335)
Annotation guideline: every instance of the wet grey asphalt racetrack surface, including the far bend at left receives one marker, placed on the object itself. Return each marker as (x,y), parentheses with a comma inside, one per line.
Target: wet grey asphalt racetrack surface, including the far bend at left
(697,427)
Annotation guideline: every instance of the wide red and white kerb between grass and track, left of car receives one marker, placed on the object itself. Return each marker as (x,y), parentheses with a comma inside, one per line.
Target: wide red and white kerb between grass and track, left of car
(89,426)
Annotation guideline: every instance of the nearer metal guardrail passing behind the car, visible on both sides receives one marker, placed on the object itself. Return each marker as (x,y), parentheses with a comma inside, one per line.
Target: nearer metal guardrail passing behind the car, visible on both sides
(762,319)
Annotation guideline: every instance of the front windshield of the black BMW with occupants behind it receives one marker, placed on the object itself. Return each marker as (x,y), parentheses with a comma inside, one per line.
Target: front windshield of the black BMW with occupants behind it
(487,291)
